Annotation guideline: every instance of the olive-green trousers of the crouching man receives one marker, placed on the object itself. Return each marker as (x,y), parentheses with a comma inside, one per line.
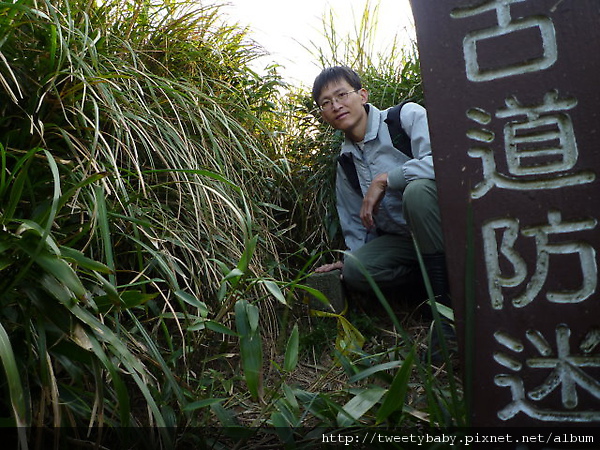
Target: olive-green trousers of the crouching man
(391,259)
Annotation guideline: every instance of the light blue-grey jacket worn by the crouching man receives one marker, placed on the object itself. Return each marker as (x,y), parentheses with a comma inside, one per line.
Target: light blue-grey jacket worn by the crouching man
(378,155)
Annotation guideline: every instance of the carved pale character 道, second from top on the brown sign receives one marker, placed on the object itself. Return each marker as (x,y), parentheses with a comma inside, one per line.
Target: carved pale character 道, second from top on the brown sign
(540,147)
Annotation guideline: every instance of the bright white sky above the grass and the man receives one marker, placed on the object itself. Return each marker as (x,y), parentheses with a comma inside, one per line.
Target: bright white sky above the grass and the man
(282,27)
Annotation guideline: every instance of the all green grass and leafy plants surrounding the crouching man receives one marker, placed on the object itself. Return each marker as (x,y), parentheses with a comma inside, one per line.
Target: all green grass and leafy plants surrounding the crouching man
(158,217)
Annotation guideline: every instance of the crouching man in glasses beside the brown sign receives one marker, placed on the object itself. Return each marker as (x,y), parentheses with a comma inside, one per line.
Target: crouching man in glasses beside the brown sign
(397,195)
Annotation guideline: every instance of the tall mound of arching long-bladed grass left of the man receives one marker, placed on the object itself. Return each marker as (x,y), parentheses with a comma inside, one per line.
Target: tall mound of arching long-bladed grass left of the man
(135,175)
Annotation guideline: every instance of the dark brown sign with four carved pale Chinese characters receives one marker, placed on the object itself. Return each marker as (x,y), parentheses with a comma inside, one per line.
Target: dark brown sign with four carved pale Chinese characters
(512,89)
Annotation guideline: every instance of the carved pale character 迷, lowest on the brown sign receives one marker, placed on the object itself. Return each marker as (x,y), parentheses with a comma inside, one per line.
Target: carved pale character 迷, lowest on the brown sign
(567,372)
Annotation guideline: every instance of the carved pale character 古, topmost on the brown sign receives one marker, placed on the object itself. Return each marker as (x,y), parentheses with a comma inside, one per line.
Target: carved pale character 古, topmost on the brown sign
(506,26)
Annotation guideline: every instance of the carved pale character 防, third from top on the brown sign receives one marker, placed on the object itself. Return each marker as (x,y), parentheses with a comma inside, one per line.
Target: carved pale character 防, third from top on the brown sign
(509,229)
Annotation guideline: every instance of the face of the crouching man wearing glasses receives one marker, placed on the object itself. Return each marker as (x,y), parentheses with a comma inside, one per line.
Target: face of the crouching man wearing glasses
(344,106)
